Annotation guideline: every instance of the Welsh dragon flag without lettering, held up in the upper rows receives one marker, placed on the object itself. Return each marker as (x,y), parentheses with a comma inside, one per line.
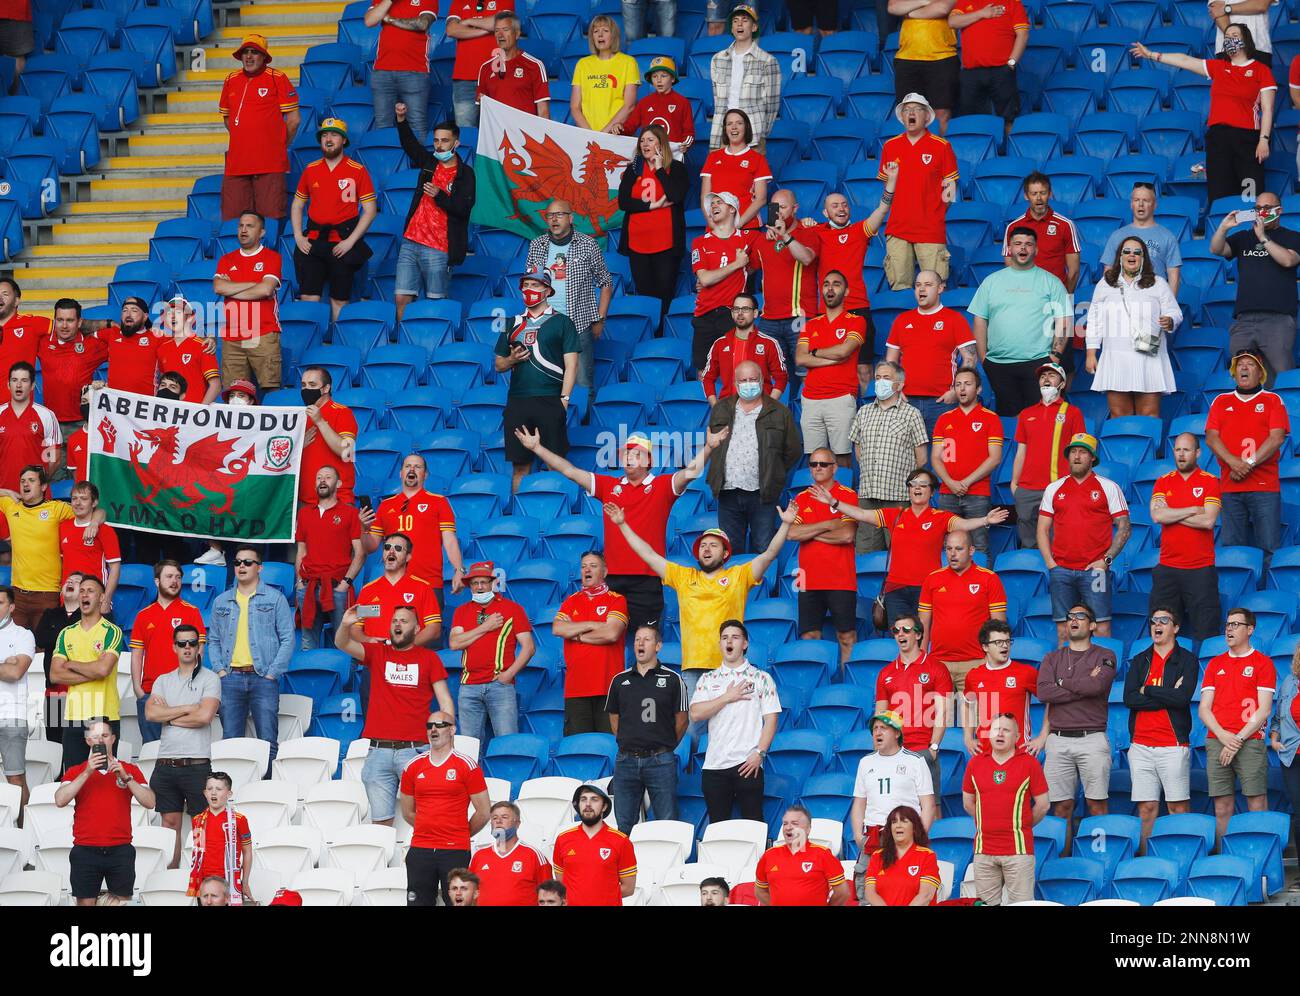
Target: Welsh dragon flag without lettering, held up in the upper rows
(523,163)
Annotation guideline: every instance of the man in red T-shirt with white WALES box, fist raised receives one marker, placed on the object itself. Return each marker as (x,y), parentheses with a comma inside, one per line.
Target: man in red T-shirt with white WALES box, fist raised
(405,679)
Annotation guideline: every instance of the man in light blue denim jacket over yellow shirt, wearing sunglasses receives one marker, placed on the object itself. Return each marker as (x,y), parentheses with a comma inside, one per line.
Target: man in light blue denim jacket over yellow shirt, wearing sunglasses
(250,642)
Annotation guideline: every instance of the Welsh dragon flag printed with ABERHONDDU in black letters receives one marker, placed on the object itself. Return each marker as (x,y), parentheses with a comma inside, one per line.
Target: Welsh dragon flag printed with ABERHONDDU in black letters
(211,471)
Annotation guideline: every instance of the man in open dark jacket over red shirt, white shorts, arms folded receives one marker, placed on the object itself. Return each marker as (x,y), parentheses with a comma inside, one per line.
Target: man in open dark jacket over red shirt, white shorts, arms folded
(1159,691)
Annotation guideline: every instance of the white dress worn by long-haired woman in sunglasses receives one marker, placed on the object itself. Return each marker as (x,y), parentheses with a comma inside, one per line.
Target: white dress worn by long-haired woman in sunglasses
(1113,317)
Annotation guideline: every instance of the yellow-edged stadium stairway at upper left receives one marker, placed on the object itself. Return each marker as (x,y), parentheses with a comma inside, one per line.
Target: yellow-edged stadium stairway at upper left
(148,172)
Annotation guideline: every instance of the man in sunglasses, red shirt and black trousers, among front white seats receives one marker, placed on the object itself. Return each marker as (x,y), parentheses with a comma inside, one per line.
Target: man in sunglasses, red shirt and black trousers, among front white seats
(436,794)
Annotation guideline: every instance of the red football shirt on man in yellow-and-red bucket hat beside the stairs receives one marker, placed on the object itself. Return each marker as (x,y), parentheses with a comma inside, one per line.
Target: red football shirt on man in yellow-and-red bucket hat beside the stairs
(254,109)
